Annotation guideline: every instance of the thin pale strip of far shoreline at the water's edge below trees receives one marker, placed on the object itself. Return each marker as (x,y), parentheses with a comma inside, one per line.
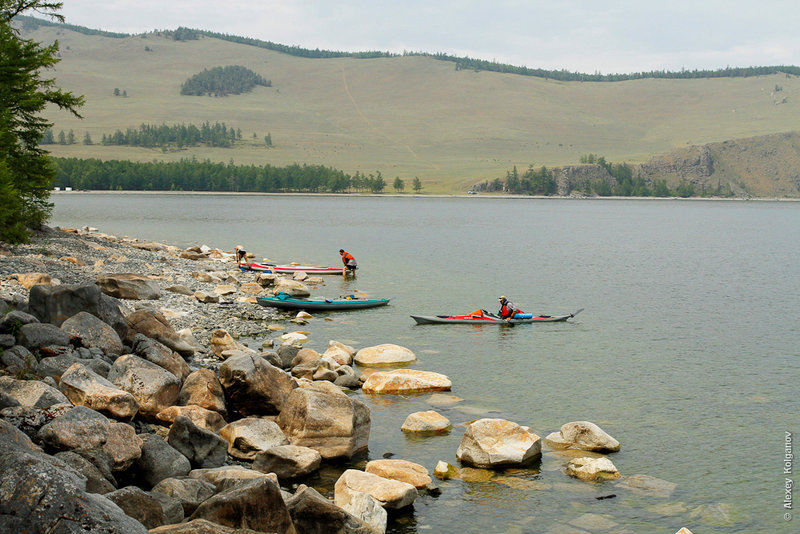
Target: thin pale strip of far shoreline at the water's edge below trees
(423,196)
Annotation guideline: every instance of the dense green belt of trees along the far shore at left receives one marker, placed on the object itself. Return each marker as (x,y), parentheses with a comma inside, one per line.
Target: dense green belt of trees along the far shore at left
(193,175)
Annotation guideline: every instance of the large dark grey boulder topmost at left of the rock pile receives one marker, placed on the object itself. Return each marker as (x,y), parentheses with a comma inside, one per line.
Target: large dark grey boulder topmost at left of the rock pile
(55,304)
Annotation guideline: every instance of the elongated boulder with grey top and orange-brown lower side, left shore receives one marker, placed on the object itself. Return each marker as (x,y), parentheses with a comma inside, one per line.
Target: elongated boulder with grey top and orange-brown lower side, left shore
(86,388)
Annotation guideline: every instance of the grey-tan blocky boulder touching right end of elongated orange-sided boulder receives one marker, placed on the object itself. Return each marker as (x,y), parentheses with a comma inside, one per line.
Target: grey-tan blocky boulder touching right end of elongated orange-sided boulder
(153,387)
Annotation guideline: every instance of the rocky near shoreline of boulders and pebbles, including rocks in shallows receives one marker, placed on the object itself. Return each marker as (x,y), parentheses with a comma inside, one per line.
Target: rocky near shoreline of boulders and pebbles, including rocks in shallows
(128,403)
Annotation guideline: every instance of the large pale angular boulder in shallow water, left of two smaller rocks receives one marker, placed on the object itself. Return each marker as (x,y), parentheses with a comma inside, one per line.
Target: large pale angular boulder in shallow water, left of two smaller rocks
(497,442)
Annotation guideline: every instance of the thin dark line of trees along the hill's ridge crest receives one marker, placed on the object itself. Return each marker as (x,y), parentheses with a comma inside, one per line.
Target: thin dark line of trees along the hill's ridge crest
(461,63)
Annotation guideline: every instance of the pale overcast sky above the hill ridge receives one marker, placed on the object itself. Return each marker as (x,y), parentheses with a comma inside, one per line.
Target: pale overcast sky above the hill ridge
(617,36)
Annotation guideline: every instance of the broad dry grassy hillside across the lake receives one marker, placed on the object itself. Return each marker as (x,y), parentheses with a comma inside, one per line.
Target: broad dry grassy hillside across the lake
(403,116)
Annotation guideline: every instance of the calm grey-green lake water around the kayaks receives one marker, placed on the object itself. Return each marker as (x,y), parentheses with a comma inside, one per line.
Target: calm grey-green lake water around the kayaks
(688,351)
